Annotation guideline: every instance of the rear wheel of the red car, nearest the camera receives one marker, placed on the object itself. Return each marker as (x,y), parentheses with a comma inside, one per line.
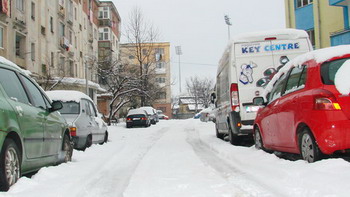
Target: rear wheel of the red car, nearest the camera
(309,150)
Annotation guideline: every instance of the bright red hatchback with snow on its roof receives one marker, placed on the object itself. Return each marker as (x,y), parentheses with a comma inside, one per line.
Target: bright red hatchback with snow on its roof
(308,106)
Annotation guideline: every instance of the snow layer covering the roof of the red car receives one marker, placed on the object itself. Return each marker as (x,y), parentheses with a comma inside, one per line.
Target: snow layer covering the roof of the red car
(320,55)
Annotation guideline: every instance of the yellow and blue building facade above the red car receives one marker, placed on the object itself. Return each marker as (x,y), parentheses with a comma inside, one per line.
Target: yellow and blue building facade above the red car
(322,19)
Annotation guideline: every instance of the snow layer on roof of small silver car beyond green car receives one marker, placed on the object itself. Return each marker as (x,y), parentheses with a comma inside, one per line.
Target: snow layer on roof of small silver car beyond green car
(67,95)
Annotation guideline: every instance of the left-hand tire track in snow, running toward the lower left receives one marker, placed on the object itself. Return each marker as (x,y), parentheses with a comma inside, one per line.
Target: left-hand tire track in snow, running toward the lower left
(115,174)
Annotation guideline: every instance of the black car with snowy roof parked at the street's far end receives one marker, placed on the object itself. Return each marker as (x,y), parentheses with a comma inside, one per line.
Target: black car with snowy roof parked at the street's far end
(138,117)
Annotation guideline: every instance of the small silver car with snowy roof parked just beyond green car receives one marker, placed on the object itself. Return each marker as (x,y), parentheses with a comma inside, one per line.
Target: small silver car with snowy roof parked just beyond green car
(85,123)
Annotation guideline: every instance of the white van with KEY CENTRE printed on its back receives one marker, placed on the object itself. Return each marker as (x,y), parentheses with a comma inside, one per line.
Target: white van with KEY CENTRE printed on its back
(246,67)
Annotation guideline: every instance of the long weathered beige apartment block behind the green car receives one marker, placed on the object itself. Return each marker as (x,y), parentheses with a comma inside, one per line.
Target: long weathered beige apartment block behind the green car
(56,40)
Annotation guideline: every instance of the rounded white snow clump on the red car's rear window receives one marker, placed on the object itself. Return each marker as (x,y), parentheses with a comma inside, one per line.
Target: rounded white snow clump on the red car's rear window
(342,79)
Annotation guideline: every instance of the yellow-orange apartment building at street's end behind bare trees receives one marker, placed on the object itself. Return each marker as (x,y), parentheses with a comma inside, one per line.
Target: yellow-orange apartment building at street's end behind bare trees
(158,61)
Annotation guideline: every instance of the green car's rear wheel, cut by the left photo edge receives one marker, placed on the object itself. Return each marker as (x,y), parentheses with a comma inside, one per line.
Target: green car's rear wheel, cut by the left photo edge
(10,165)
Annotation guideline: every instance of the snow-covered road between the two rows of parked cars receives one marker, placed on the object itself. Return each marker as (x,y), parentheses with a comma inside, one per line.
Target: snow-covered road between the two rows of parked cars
(182,158)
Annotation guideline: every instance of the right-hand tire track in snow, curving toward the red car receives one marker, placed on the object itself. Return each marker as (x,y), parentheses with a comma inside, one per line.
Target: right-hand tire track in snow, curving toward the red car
(236,177)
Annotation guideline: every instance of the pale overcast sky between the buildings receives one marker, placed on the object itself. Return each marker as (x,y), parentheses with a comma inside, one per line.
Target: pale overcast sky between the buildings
(198,26)
